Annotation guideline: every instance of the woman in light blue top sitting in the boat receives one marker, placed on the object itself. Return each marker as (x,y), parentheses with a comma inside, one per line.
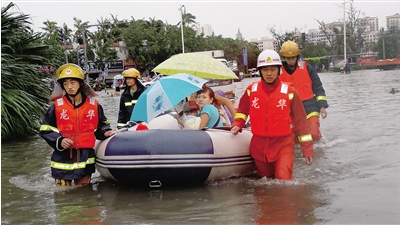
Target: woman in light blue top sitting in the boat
(208,112)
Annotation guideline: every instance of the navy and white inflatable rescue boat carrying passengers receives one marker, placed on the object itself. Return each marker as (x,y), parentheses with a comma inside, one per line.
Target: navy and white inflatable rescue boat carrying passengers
(168,155)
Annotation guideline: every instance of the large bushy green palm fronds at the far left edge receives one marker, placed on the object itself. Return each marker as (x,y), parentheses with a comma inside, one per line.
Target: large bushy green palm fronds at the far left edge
(24,96)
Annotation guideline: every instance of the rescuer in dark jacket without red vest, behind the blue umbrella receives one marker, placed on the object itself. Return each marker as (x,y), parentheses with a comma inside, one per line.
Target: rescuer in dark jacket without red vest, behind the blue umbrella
(133,89)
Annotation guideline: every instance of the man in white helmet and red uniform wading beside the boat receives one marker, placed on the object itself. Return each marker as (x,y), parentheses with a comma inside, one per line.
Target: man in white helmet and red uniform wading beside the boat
(273,106)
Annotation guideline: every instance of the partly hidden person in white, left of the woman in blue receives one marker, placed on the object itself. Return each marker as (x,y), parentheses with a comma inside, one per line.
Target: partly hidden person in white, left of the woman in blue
(190,120)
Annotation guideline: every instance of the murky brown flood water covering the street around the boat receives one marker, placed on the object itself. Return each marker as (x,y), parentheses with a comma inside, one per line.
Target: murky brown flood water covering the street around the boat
(355,177)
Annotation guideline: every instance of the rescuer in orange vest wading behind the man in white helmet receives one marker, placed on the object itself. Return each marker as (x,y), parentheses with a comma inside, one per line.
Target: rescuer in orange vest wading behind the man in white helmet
(306,81)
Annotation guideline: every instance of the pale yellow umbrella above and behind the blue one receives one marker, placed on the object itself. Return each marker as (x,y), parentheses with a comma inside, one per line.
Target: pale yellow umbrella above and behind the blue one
(202,66)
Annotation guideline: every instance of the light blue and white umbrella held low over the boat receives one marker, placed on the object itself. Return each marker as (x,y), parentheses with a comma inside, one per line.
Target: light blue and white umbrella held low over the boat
(165,94)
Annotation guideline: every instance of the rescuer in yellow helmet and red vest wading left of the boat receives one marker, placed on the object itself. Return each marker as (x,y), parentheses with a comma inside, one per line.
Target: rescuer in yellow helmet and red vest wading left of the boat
(71,126)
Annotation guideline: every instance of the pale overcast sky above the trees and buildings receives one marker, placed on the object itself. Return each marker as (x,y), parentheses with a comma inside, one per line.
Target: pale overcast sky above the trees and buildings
(252,17)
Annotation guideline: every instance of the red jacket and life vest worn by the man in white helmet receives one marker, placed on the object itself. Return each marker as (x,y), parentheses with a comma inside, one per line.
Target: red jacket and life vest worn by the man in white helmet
(275,140)
